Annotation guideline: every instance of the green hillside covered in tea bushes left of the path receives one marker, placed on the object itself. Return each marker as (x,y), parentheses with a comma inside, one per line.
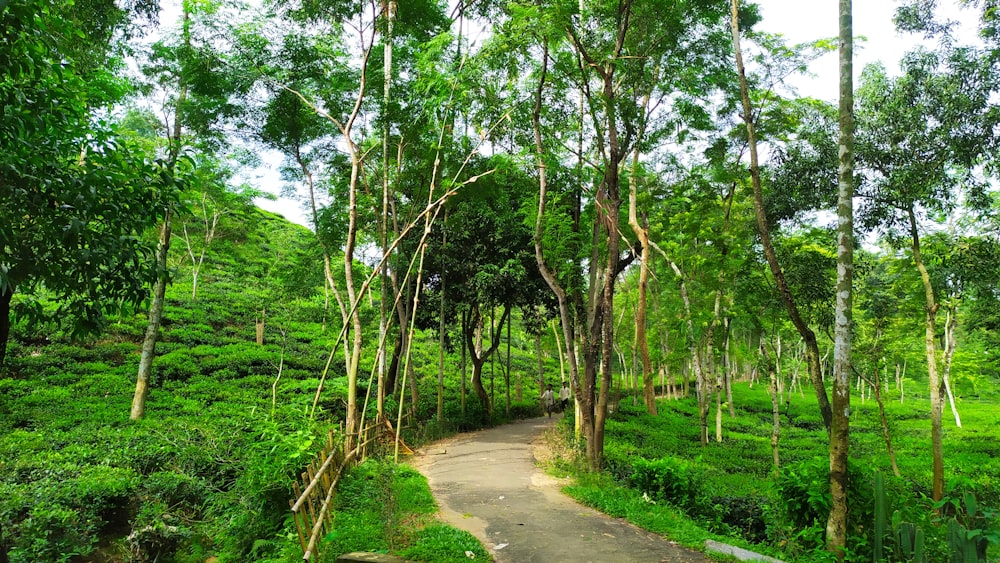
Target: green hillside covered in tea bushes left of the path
(208,470)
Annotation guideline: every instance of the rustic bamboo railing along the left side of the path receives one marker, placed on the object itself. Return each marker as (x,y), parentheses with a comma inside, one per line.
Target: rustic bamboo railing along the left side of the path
(316,489)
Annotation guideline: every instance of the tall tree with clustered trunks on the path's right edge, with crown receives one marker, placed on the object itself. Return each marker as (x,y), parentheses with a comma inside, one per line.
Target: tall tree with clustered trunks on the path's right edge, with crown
(613,54)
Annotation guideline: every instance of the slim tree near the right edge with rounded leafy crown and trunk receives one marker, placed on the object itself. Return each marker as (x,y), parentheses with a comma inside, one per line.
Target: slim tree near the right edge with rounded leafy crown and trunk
(920,137)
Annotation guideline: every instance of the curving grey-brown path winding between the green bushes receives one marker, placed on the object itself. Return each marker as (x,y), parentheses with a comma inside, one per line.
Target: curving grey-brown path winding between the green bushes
(486,482)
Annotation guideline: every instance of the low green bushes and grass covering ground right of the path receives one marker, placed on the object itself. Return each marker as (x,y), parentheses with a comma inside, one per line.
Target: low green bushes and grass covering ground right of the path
(659,477)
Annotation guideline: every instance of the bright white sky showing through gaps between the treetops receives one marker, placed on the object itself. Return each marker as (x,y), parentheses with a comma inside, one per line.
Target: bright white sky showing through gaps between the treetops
(799,21)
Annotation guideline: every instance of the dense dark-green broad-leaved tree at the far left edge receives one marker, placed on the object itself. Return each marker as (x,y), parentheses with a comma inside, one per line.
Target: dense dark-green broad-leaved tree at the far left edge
(77,195)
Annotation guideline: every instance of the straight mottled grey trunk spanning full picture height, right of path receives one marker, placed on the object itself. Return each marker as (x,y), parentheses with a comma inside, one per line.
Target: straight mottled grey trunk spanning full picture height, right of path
(836,524)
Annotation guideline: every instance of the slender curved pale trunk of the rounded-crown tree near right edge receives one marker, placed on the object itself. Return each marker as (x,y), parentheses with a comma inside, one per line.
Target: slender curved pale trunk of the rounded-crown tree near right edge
(930,349)
